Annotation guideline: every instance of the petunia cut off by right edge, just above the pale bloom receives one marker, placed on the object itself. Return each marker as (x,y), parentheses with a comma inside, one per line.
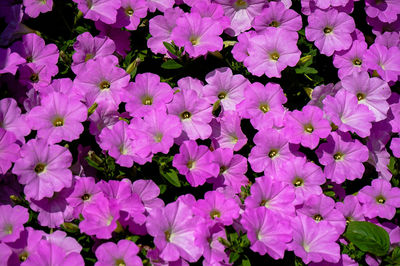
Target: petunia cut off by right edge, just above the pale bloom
(384,61)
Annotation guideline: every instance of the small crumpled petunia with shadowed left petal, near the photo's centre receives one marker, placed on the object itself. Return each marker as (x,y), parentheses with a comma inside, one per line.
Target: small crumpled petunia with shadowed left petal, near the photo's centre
(227,132)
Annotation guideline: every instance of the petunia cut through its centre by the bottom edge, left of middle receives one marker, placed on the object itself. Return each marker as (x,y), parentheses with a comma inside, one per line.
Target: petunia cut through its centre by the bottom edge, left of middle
(122,253)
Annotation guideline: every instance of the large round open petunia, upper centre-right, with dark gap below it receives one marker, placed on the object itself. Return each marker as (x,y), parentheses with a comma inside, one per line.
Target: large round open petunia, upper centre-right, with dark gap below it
(271,51)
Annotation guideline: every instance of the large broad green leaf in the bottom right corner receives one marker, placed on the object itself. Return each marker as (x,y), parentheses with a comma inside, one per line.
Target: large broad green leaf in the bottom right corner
(368,237)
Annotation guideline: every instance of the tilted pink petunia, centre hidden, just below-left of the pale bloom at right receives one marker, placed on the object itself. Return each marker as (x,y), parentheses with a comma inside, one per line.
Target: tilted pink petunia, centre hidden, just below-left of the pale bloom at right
(345,112)
